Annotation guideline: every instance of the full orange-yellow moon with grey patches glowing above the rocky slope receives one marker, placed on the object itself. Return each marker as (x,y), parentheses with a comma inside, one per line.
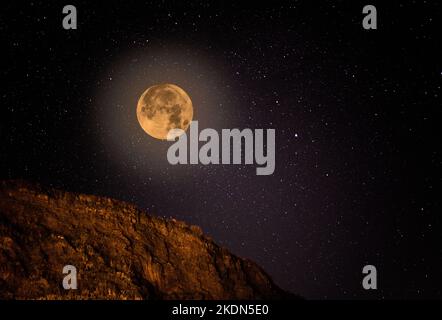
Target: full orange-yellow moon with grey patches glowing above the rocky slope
(164,107)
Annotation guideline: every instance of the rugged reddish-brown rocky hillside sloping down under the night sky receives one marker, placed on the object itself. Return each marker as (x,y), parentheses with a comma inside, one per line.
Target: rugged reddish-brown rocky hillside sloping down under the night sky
(119,252)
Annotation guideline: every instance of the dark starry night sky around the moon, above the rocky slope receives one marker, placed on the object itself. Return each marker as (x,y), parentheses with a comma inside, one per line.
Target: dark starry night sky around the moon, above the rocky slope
(355,114)
